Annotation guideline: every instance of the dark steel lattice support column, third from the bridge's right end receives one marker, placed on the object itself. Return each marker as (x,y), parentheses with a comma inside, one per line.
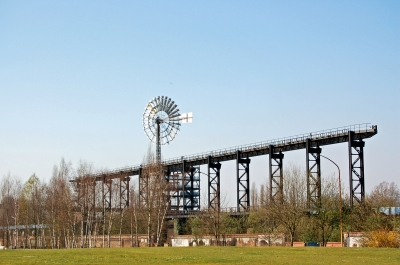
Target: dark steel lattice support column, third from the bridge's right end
(275,175)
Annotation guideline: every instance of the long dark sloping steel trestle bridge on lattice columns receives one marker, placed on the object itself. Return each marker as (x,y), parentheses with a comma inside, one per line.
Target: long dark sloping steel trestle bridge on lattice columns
(184,172)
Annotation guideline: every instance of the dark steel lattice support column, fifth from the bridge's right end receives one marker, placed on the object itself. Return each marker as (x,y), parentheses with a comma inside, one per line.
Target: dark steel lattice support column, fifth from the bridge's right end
(214,173)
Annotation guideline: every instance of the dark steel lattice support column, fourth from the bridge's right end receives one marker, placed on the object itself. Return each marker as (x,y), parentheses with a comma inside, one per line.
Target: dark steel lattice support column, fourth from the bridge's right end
(243,182)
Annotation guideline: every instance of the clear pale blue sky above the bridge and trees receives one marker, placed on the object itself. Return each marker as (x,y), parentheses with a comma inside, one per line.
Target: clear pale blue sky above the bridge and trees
(75,77)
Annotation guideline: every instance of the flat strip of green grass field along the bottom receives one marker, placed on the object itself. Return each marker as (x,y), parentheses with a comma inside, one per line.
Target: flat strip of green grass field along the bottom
(204,255)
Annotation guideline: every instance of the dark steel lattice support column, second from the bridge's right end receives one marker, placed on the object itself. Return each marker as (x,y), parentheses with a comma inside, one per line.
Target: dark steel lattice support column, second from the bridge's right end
(313,164)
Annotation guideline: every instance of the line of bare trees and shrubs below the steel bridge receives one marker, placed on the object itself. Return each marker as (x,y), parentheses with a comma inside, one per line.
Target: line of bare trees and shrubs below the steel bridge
(53,214)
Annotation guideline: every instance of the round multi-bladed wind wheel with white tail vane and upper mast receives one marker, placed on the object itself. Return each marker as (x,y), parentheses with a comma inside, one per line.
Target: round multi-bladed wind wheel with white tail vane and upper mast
(161,121)
